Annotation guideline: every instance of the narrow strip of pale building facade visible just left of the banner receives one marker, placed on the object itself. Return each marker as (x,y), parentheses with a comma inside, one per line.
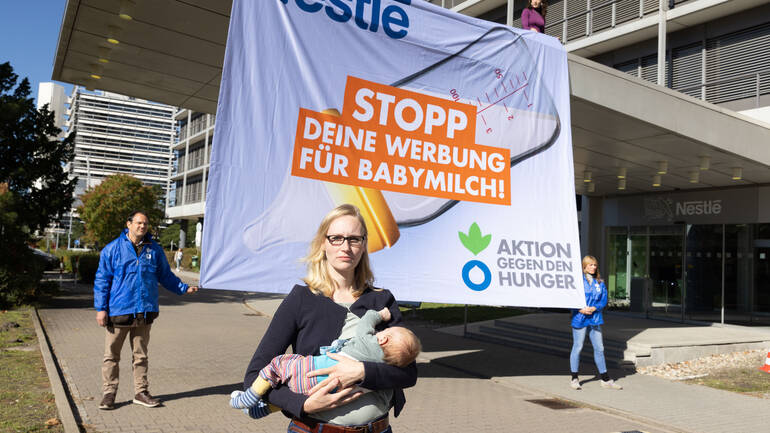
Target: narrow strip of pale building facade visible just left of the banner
(192,152)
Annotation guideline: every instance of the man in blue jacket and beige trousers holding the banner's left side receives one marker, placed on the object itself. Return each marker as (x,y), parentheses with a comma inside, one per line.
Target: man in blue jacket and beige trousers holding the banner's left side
(126,302)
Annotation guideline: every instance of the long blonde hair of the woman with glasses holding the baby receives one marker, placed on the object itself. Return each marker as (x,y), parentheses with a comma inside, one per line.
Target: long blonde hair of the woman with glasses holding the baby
(318,278)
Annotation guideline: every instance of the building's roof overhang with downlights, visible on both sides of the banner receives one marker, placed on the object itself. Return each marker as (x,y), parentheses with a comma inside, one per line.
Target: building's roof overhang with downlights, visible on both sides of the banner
(172,52)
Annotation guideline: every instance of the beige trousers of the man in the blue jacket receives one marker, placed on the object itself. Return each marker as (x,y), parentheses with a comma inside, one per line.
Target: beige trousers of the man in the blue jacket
(139,338)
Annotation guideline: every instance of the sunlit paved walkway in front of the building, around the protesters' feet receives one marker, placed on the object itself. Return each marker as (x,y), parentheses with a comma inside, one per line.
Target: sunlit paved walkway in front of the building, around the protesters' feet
(202,342)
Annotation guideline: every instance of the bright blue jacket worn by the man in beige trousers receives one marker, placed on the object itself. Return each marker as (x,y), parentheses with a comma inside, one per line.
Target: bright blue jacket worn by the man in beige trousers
(127,283)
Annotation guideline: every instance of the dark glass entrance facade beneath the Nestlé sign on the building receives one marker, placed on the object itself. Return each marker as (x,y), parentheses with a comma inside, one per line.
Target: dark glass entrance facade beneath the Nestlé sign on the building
(705,272)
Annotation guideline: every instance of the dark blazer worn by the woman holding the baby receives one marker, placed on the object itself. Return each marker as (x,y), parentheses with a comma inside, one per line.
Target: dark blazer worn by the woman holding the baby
(306,321)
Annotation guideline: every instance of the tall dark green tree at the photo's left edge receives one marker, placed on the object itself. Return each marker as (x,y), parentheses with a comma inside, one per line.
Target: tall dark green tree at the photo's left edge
(34,188)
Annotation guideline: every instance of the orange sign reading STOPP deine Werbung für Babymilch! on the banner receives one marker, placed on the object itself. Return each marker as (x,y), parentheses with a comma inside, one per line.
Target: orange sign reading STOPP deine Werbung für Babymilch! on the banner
(393,139)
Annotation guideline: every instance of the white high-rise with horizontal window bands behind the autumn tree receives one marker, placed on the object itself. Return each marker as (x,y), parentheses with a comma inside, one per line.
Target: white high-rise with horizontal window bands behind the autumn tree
(120,134)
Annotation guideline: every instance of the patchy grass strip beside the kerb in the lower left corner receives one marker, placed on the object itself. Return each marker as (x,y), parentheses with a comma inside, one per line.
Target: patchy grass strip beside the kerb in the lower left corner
(26,402)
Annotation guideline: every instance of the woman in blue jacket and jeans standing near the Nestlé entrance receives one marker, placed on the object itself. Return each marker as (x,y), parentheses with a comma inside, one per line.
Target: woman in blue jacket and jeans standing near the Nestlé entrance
(589,318)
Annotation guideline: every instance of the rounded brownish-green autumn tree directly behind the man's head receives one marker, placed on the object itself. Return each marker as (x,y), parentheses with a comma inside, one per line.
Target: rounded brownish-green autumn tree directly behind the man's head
(106,206)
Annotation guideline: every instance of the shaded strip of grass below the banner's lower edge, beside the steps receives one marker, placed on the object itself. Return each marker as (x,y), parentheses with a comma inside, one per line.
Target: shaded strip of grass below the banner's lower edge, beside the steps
(452,314)
